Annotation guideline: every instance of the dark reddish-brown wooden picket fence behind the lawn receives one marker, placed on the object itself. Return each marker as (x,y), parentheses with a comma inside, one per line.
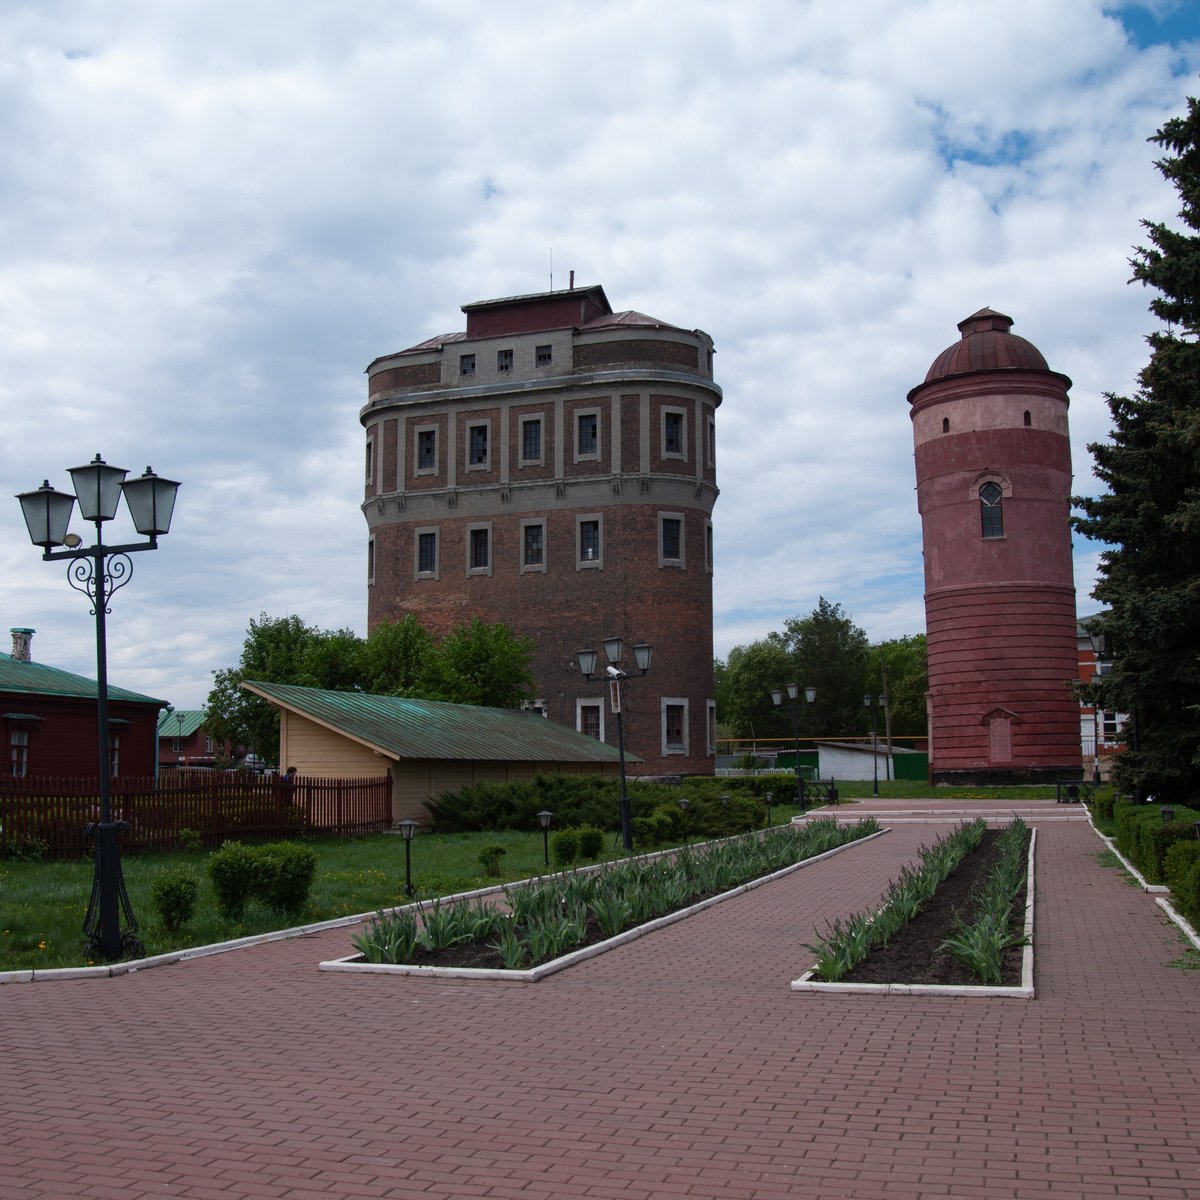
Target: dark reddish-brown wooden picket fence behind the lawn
(49,815)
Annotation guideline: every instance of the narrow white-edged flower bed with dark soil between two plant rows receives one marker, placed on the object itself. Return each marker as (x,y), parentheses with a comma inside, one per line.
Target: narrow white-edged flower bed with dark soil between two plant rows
(927,951)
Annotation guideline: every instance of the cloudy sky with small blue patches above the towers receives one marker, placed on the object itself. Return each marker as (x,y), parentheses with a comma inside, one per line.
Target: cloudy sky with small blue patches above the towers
(215,215)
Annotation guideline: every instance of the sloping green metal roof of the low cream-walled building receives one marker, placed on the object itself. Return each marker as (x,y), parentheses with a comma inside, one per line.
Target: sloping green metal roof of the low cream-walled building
(404,728)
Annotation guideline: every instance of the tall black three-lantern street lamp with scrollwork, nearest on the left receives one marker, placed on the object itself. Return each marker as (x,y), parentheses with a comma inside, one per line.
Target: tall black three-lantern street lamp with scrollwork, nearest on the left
(98,572)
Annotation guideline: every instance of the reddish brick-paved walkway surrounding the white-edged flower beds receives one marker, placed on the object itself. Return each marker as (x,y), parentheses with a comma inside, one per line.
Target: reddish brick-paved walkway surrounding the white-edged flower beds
(681,1065)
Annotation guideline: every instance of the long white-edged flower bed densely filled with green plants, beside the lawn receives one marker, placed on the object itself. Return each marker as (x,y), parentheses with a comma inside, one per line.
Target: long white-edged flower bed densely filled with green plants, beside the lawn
(551,923)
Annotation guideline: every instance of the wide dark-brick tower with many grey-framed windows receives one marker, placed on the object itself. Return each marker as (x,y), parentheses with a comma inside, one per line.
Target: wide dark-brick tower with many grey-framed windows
(554,469)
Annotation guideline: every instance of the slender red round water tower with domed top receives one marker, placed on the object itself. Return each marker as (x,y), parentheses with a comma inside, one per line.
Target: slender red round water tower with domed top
(993,488)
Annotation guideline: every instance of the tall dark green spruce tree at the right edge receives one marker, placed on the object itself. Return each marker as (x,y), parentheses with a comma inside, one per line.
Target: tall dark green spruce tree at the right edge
(1150,514)
